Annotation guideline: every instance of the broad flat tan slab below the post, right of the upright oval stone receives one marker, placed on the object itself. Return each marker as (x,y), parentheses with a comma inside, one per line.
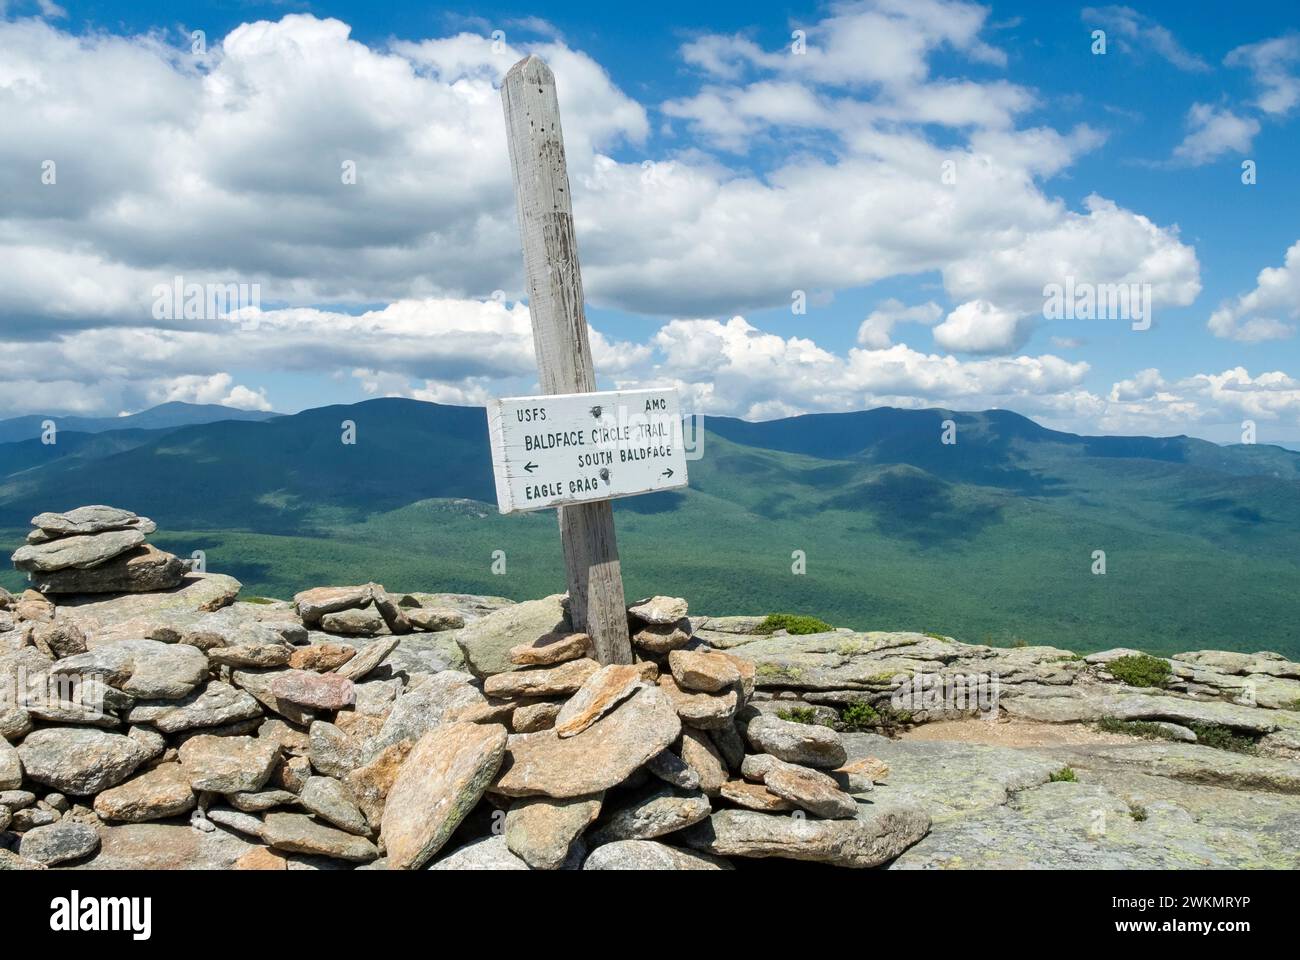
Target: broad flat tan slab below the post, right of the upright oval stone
(604,755)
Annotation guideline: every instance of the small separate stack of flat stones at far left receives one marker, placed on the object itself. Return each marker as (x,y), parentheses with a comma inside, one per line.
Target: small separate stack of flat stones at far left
(97,550)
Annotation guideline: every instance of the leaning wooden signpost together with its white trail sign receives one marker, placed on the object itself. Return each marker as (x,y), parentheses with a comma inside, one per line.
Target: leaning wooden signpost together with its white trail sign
(554,286)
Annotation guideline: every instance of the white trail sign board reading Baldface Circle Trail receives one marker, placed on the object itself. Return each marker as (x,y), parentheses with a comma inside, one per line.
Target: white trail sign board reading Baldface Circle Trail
(577,448)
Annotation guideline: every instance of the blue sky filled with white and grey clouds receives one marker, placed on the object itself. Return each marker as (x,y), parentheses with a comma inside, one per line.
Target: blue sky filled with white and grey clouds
(716,174)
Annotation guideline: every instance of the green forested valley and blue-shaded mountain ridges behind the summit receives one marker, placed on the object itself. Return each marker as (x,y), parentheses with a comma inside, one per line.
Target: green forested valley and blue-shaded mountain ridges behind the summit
(993,539)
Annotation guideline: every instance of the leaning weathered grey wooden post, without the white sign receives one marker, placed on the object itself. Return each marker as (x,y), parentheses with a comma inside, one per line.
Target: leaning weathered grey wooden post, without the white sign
(561,338)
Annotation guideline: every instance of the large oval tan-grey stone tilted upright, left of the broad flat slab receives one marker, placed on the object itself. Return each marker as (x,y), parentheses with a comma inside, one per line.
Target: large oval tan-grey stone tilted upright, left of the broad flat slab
(441,781)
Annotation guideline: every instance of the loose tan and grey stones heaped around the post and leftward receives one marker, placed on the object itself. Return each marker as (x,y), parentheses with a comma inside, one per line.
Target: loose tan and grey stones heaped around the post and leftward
(330,732)
